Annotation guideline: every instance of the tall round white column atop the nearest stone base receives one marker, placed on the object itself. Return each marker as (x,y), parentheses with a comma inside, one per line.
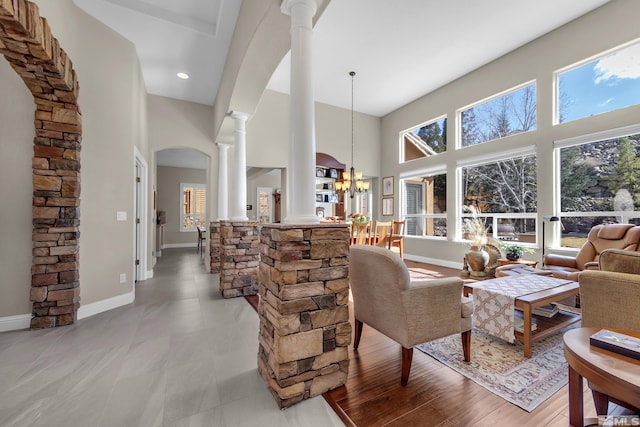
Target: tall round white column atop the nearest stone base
(302,145)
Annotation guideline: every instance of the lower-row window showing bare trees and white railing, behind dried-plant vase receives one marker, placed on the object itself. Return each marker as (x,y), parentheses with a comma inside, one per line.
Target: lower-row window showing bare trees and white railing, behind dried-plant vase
(505,193)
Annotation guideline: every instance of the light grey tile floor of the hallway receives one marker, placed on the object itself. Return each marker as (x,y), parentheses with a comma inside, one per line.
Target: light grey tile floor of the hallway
(180,355)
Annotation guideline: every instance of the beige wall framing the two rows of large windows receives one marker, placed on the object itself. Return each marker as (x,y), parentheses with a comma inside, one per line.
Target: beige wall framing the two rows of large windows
(605,28)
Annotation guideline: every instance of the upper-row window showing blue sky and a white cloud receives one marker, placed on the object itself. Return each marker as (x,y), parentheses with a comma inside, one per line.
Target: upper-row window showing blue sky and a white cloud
(608,83)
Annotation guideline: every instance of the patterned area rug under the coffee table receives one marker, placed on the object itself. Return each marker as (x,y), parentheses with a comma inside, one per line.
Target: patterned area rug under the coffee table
(502,369)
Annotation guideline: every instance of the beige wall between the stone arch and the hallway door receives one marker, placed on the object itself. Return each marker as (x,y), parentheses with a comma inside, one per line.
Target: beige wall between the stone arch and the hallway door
(113,123)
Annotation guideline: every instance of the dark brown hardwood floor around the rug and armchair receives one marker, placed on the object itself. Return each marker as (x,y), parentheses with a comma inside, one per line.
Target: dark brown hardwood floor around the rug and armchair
(436,395)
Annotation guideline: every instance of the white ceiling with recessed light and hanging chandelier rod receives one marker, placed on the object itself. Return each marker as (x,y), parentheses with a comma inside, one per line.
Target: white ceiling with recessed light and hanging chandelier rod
(401,50)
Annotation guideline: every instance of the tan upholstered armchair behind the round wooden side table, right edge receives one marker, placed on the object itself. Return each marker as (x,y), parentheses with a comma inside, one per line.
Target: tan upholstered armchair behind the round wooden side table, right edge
(610,299)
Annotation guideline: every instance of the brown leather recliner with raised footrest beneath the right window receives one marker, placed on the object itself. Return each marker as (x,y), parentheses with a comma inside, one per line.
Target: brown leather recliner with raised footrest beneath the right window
(600,238)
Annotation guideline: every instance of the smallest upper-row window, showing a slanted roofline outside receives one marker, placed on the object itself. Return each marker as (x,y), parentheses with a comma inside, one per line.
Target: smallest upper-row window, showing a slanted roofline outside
(425,140)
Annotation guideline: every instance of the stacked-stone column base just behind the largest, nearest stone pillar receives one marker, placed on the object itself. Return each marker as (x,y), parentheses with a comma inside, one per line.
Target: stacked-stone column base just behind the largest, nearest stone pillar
(239,258)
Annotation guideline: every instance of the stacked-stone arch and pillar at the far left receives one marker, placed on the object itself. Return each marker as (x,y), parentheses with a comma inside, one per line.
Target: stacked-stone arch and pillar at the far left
(32,51)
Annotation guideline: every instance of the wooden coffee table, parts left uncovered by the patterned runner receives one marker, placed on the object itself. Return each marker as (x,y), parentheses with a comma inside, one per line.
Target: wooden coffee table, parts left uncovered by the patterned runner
(525,304)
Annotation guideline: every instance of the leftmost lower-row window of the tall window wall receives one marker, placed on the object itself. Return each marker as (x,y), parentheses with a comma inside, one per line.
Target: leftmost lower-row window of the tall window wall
(425,205)
